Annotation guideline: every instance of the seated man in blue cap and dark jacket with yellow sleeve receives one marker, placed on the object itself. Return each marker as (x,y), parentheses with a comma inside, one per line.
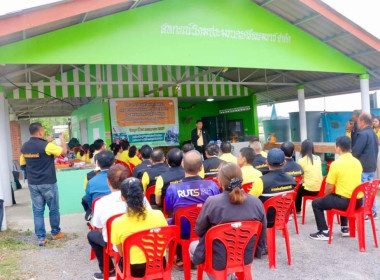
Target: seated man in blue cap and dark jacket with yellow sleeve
(273,183)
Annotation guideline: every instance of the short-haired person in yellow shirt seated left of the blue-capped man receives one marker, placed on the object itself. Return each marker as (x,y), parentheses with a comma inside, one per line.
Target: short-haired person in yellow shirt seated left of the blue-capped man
(245,160)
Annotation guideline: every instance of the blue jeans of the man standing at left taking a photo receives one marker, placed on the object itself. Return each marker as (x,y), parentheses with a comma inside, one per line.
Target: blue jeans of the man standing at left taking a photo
(42,195)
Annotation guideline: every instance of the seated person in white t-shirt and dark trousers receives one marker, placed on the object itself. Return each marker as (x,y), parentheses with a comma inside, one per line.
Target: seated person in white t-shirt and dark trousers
(107,207)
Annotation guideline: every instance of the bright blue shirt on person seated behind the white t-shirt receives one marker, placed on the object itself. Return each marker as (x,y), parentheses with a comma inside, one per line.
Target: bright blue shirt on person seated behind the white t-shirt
(97,187)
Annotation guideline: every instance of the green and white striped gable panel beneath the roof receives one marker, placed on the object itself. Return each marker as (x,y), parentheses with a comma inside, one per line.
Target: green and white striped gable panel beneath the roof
(116,81)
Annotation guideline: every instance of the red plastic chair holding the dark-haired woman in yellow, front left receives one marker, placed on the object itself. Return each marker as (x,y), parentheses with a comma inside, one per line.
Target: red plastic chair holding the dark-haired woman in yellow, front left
(153,243)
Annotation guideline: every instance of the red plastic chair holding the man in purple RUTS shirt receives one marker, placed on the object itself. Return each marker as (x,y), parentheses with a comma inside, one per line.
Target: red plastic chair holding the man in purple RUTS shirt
(191,214)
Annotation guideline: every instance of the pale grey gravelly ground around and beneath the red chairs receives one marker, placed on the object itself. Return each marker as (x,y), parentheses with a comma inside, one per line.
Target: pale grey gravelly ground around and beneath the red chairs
(69,258)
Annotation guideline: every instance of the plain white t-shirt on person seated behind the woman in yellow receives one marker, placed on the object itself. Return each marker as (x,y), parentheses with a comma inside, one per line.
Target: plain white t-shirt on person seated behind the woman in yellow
(108,206)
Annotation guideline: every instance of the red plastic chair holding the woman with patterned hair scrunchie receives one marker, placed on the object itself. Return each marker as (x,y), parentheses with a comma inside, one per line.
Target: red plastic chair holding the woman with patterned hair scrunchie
(235,237)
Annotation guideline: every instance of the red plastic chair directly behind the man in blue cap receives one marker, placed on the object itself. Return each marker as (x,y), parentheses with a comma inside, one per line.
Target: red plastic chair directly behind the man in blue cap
(282,203)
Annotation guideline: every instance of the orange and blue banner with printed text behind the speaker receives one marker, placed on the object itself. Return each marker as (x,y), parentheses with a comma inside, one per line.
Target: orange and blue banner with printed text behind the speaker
(145,121)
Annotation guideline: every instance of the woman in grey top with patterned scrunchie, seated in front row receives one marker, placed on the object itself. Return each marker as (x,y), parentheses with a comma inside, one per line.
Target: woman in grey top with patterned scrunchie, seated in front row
(229,206)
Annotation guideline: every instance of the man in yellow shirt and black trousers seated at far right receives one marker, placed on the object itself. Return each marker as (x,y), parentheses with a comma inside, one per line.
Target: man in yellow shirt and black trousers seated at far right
(345,175)
